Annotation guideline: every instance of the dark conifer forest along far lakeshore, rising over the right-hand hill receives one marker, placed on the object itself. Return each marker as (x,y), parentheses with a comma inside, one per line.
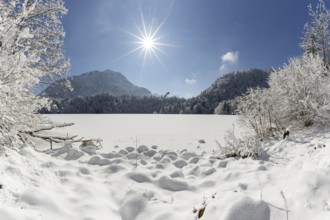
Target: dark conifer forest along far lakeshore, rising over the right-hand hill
(219,98)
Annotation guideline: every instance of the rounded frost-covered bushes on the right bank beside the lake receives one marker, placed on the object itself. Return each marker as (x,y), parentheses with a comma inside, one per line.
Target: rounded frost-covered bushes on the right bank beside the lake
(298,96)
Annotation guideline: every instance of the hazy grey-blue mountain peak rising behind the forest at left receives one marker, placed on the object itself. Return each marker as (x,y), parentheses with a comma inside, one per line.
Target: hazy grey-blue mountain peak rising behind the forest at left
(94,83)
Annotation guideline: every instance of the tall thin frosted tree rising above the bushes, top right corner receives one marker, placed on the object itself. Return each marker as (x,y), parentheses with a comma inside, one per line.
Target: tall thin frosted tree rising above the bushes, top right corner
(316,39)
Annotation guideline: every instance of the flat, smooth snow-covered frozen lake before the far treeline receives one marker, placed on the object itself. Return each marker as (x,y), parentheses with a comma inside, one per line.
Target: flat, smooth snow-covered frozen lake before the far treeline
(165,131)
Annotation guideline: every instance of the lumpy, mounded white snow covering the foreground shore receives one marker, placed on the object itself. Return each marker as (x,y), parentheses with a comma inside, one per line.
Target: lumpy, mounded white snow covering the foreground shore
(148,182)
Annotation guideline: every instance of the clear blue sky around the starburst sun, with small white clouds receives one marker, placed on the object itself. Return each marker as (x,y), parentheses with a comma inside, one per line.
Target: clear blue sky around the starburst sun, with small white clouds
(200,39)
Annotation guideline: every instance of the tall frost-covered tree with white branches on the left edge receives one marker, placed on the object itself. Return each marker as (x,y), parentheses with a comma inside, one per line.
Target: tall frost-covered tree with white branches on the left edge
(31,51)
